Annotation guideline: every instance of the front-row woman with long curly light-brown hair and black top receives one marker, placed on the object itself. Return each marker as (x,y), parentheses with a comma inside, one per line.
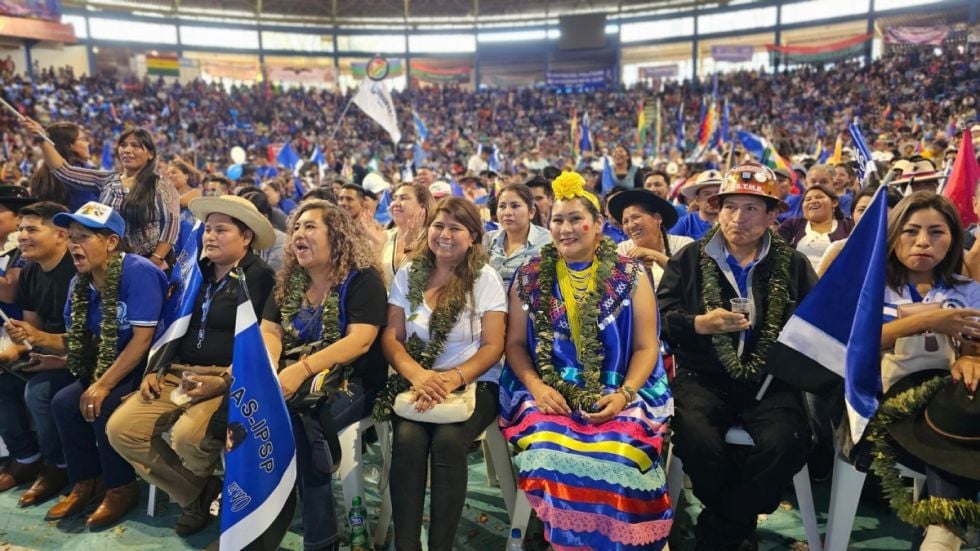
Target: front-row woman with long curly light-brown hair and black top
(328,290)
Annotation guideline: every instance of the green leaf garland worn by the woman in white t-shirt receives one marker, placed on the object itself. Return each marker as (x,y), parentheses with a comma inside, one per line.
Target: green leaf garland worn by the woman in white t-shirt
(443,319)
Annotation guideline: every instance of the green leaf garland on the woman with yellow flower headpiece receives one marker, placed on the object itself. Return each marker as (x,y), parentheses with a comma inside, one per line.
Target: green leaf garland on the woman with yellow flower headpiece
(581,398)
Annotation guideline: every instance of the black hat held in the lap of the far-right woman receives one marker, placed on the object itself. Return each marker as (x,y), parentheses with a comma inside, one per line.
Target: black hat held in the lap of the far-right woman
(945,433)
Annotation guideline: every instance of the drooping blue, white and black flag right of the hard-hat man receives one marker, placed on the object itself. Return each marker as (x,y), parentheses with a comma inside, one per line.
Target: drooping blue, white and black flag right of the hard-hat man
(838,324)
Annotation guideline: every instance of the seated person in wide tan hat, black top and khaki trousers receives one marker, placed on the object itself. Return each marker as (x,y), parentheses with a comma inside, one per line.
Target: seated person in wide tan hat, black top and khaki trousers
(183,467)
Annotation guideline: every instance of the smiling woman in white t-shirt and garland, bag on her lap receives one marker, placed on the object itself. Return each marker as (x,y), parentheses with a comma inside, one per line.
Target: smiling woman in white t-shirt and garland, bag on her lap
(446,320)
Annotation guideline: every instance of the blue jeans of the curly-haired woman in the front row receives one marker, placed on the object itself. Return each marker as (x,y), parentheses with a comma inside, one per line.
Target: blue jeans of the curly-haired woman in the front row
(319,513)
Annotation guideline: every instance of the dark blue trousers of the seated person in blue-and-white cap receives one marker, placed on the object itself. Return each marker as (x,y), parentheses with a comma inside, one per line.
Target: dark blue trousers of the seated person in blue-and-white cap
(86,445)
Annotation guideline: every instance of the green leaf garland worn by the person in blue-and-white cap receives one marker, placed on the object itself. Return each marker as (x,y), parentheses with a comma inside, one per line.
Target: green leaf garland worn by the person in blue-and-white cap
(79,338)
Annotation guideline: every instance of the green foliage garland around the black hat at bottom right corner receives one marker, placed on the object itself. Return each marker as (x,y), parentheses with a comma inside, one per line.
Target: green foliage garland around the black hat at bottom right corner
(934,510)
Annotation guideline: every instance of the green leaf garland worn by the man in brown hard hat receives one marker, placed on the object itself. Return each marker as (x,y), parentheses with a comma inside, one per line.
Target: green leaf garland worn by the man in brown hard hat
(778,284)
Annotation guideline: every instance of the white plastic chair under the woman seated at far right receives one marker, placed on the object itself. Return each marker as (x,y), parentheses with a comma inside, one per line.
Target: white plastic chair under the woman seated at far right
(845,493)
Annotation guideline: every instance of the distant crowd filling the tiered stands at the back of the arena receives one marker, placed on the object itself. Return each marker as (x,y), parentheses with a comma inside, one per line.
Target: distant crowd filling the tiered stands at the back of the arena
(912,96)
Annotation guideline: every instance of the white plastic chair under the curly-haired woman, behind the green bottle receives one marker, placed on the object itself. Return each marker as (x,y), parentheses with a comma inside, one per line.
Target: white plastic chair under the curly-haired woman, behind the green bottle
(351,473)
